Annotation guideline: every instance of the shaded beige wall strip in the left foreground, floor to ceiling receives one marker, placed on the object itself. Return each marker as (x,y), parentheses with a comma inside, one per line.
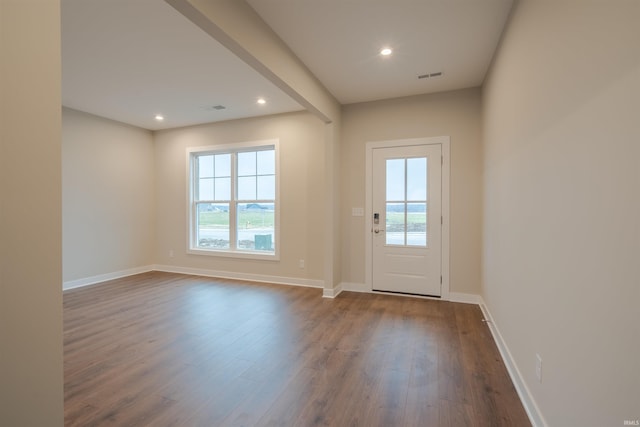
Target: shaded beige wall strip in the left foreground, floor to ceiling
(30,215)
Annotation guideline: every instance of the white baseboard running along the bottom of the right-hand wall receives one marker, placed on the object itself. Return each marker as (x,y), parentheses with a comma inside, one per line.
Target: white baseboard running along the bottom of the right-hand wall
(529,403)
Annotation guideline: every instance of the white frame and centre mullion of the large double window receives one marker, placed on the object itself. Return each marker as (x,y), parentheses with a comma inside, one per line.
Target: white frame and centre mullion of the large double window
(192,154)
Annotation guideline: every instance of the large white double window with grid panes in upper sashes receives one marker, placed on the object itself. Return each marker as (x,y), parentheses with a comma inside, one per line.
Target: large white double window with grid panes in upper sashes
(233,205)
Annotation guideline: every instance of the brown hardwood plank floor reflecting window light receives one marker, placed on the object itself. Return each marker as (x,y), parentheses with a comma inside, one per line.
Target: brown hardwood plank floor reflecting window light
(161,349)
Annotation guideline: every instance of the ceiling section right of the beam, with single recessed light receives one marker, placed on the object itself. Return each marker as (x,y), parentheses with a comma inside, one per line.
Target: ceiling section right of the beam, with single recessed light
(340,40)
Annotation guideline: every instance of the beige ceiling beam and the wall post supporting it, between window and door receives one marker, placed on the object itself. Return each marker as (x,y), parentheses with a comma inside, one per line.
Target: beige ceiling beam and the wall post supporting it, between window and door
(238,27)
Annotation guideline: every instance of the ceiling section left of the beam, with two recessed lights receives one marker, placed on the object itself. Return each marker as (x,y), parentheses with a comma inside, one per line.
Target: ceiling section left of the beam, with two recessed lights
(129,60)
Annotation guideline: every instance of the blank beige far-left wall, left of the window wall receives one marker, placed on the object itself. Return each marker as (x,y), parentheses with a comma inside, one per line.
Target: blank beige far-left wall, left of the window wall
(108,196)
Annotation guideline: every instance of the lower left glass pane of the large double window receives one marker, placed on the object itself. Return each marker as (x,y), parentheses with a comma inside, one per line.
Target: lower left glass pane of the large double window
(213,225)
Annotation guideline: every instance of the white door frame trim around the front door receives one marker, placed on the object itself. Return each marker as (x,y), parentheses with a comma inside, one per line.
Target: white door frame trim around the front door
(444,141)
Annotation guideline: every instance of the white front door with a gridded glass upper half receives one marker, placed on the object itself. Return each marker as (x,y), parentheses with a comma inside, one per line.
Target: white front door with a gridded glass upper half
(406,224)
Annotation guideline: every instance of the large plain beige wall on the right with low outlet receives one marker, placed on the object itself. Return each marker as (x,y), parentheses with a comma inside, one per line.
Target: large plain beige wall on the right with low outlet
(562,240)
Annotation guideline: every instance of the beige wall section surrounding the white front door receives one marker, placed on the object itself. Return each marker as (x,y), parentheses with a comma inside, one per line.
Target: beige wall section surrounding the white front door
(455,114)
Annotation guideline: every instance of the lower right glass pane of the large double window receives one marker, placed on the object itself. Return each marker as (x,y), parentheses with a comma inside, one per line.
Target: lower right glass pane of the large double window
(256,229)
